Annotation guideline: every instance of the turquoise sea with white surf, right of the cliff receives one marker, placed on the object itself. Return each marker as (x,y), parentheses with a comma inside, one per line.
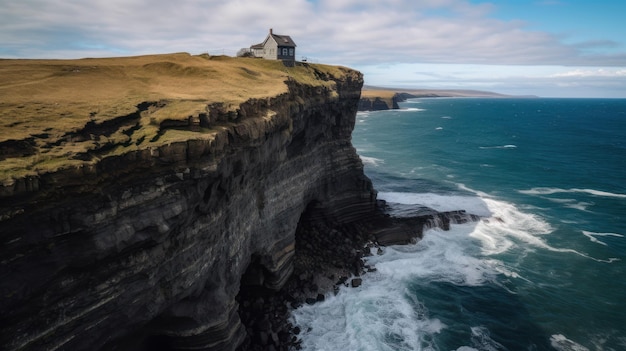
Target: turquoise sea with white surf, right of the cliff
(545,269)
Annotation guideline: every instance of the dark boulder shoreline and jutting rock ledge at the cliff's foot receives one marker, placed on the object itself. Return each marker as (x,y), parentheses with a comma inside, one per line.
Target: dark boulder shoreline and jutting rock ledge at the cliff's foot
(327,256)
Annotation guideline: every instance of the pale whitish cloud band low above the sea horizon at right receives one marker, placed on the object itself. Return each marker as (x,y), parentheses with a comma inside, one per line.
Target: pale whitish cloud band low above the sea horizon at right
(547,81)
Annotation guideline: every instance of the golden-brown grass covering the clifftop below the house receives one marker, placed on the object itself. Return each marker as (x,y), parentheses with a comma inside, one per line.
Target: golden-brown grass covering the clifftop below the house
(44,101)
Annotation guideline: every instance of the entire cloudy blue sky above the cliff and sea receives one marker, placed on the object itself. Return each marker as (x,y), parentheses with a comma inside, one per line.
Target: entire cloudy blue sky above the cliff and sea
(548,48)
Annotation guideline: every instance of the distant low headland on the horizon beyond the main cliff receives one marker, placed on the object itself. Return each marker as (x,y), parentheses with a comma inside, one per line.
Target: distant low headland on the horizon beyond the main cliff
(382,98)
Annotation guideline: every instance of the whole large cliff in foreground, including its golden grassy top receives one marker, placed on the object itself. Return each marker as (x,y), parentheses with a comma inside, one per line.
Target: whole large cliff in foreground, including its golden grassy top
(137,192)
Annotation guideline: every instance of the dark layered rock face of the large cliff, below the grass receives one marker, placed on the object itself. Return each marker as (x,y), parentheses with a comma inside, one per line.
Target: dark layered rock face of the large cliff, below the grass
(155,241)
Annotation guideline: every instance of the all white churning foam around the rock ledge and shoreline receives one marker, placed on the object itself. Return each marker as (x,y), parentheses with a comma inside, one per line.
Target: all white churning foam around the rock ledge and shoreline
(381,315)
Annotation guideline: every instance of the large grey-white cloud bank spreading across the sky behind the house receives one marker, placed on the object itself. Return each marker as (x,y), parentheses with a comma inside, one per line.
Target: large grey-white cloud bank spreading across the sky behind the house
(345,32)
